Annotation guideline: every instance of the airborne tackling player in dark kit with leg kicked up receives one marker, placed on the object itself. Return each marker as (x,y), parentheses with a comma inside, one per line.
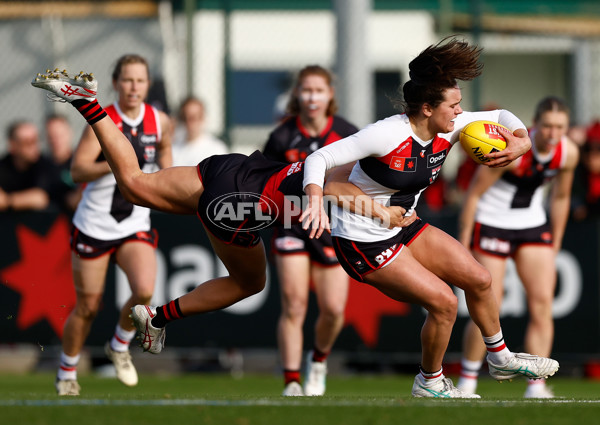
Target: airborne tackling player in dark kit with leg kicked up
(195,190)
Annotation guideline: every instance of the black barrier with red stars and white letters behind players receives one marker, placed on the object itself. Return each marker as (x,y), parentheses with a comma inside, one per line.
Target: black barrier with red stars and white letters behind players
(36,293)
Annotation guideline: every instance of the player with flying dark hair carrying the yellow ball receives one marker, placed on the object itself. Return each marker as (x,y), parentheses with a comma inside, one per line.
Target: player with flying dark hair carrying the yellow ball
(398,158)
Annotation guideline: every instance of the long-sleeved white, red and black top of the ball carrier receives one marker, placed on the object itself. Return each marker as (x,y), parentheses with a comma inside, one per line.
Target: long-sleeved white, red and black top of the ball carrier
(394,167)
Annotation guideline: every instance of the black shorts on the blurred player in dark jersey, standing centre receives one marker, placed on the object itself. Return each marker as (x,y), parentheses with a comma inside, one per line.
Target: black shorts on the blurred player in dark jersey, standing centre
(295,240)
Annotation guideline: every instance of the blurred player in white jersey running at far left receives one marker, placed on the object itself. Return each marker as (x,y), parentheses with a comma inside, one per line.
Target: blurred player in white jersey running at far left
(107,227)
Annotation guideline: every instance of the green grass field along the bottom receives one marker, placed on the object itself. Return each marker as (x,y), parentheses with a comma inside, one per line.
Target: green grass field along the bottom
(220,399)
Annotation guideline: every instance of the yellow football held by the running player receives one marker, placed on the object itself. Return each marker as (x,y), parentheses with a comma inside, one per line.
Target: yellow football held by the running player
(480,138)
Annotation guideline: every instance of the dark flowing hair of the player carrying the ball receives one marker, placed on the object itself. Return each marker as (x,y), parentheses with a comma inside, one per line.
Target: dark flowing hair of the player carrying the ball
(436,69)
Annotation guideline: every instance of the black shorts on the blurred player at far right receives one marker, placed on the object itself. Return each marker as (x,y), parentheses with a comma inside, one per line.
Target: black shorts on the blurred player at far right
(505,242)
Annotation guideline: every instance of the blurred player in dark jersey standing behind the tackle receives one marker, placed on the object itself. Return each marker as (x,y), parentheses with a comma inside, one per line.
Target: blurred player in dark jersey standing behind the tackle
(310,124)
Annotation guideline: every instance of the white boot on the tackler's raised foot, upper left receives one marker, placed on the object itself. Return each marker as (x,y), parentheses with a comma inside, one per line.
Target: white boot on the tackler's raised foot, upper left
(64,88)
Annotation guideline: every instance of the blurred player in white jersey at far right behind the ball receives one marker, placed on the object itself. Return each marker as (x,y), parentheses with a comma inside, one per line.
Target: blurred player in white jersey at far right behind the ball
(504,216)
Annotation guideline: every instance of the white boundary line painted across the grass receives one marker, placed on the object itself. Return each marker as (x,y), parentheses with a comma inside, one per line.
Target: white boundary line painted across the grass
(276,403)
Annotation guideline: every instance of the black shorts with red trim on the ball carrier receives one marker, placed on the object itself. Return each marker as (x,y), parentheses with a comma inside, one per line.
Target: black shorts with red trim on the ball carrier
(361,258)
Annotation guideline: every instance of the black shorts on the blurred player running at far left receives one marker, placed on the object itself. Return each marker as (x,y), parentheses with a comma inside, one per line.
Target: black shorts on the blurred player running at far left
(87,247)
